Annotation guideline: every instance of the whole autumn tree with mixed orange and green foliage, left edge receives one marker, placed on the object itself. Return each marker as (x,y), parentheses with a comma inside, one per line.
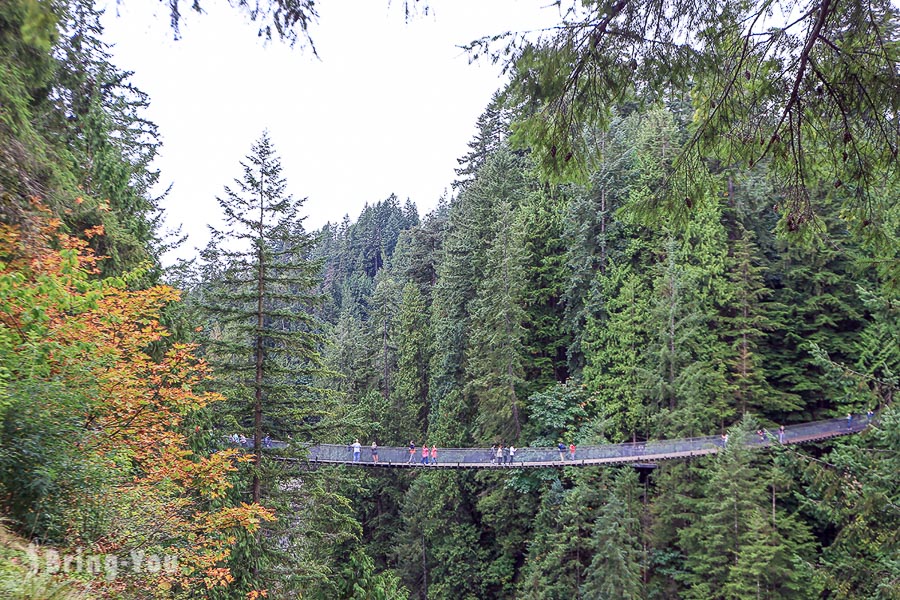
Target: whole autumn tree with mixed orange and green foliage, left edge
(77,351)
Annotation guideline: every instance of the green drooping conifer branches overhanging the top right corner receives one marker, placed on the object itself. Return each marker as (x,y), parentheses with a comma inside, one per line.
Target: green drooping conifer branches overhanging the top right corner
(782,91)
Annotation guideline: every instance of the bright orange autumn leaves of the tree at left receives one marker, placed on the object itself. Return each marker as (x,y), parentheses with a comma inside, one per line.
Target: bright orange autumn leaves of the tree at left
(62,326)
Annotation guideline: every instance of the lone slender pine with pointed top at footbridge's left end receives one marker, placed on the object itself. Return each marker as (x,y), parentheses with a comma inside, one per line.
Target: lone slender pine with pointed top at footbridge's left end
(264,341)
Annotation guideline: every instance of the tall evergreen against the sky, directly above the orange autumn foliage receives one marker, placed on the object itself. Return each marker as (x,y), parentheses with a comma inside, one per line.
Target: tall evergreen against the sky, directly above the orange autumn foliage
(110,142)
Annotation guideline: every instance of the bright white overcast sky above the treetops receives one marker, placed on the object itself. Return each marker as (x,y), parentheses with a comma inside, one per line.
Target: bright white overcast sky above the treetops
(388,107)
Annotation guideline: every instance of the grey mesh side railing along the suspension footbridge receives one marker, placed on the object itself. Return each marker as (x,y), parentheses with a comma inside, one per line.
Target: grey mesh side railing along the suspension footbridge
(611,452)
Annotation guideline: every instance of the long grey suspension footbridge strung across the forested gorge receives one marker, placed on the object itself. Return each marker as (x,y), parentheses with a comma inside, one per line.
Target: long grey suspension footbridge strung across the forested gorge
(531,457)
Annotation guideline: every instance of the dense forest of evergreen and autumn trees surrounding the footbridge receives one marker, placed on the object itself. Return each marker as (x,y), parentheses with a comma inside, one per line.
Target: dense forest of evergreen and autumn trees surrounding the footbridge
(619,278)
